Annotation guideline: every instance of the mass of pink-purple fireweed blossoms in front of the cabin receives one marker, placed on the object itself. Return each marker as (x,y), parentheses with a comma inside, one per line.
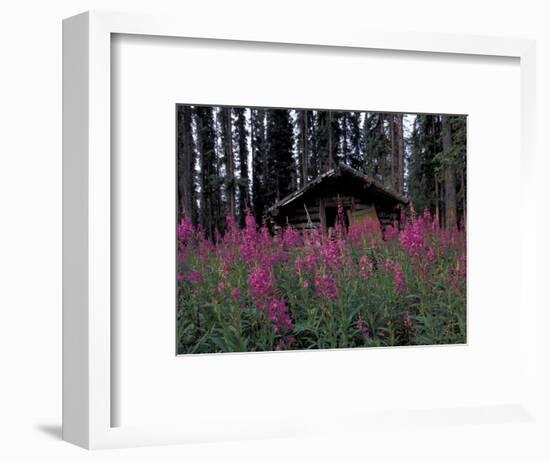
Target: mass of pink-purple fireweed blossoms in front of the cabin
(323,266)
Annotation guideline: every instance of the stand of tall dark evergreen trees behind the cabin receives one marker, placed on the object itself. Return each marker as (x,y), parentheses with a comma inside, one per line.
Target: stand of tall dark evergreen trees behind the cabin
(231,160)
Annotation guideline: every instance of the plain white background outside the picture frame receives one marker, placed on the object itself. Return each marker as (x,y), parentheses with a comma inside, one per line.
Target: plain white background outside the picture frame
(30,243)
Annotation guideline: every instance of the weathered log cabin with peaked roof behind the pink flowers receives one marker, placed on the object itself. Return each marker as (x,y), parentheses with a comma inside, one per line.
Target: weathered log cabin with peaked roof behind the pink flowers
(316,204)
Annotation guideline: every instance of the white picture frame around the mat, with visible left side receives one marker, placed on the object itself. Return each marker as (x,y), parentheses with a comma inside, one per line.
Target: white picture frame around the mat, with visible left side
(87,359)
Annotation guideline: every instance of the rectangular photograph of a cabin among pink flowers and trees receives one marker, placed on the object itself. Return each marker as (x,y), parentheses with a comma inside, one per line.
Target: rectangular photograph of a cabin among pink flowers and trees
(305,228)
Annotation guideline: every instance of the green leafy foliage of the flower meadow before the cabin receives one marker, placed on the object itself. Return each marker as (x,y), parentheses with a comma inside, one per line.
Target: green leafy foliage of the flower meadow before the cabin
(219,314)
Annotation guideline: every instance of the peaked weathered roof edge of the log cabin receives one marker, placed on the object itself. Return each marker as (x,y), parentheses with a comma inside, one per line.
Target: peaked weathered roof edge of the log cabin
(341,170)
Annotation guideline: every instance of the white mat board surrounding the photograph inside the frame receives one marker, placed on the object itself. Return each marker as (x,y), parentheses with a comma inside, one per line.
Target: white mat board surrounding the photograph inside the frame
(149,77)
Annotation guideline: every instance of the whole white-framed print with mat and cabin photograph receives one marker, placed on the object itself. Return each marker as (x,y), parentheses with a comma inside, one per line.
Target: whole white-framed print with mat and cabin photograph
(256,221)
